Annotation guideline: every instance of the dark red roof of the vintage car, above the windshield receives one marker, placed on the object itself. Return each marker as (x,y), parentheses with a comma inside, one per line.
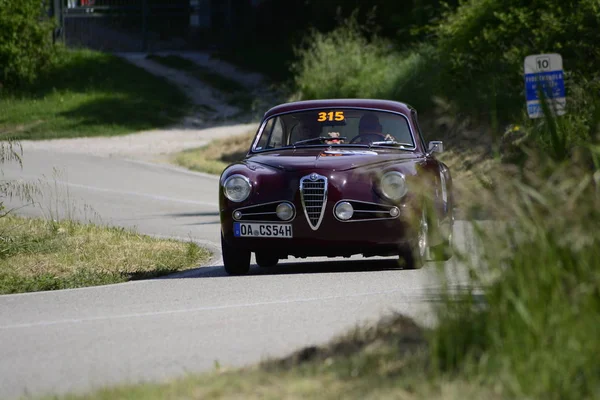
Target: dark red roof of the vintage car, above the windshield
(384,105)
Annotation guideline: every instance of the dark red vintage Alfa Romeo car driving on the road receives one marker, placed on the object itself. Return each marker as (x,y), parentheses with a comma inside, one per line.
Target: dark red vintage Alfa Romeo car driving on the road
(336,178)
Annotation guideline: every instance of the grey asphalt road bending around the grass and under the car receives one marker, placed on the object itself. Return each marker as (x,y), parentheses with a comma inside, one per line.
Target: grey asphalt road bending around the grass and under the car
(80,339)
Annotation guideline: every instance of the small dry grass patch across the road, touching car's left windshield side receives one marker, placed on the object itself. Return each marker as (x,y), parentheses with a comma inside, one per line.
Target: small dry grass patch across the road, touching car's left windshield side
(215,156)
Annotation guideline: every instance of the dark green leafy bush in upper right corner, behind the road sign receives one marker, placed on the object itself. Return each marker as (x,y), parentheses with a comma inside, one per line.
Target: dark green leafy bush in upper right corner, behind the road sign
(484,42)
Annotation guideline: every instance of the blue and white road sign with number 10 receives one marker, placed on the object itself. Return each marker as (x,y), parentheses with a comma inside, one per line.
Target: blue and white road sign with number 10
(544,75)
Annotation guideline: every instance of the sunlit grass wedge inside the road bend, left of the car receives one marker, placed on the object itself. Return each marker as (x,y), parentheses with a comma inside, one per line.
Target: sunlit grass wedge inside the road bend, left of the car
(38,254)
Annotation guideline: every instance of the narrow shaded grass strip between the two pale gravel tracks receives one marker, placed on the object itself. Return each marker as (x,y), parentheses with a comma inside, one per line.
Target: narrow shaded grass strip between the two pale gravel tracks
(235,93)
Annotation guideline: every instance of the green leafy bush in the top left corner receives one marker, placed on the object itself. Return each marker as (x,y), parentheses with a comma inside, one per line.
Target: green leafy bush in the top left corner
(25,41)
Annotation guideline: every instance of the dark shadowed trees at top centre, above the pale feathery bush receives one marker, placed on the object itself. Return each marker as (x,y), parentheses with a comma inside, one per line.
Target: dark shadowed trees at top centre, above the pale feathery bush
(254,46)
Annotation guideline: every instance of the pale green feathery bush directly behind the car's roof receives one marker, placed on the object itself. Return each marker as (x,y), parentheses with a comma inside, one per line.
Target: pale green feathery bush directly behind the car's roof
(351,62)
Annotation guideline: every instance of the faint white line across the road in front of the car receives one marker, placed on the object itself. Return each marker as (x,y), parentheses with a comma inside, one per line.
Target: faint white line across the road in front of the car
(189,310)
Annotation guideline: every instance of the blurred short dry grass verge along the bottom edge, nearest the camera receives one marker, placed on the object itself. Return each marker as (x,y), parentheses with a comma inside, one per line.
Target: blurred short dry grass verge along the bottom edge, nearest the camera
(388,360)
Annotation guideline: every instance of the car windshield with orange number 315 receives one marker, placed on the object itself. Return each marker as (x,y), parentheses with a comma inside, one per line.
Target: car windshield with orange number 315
(336,127)
